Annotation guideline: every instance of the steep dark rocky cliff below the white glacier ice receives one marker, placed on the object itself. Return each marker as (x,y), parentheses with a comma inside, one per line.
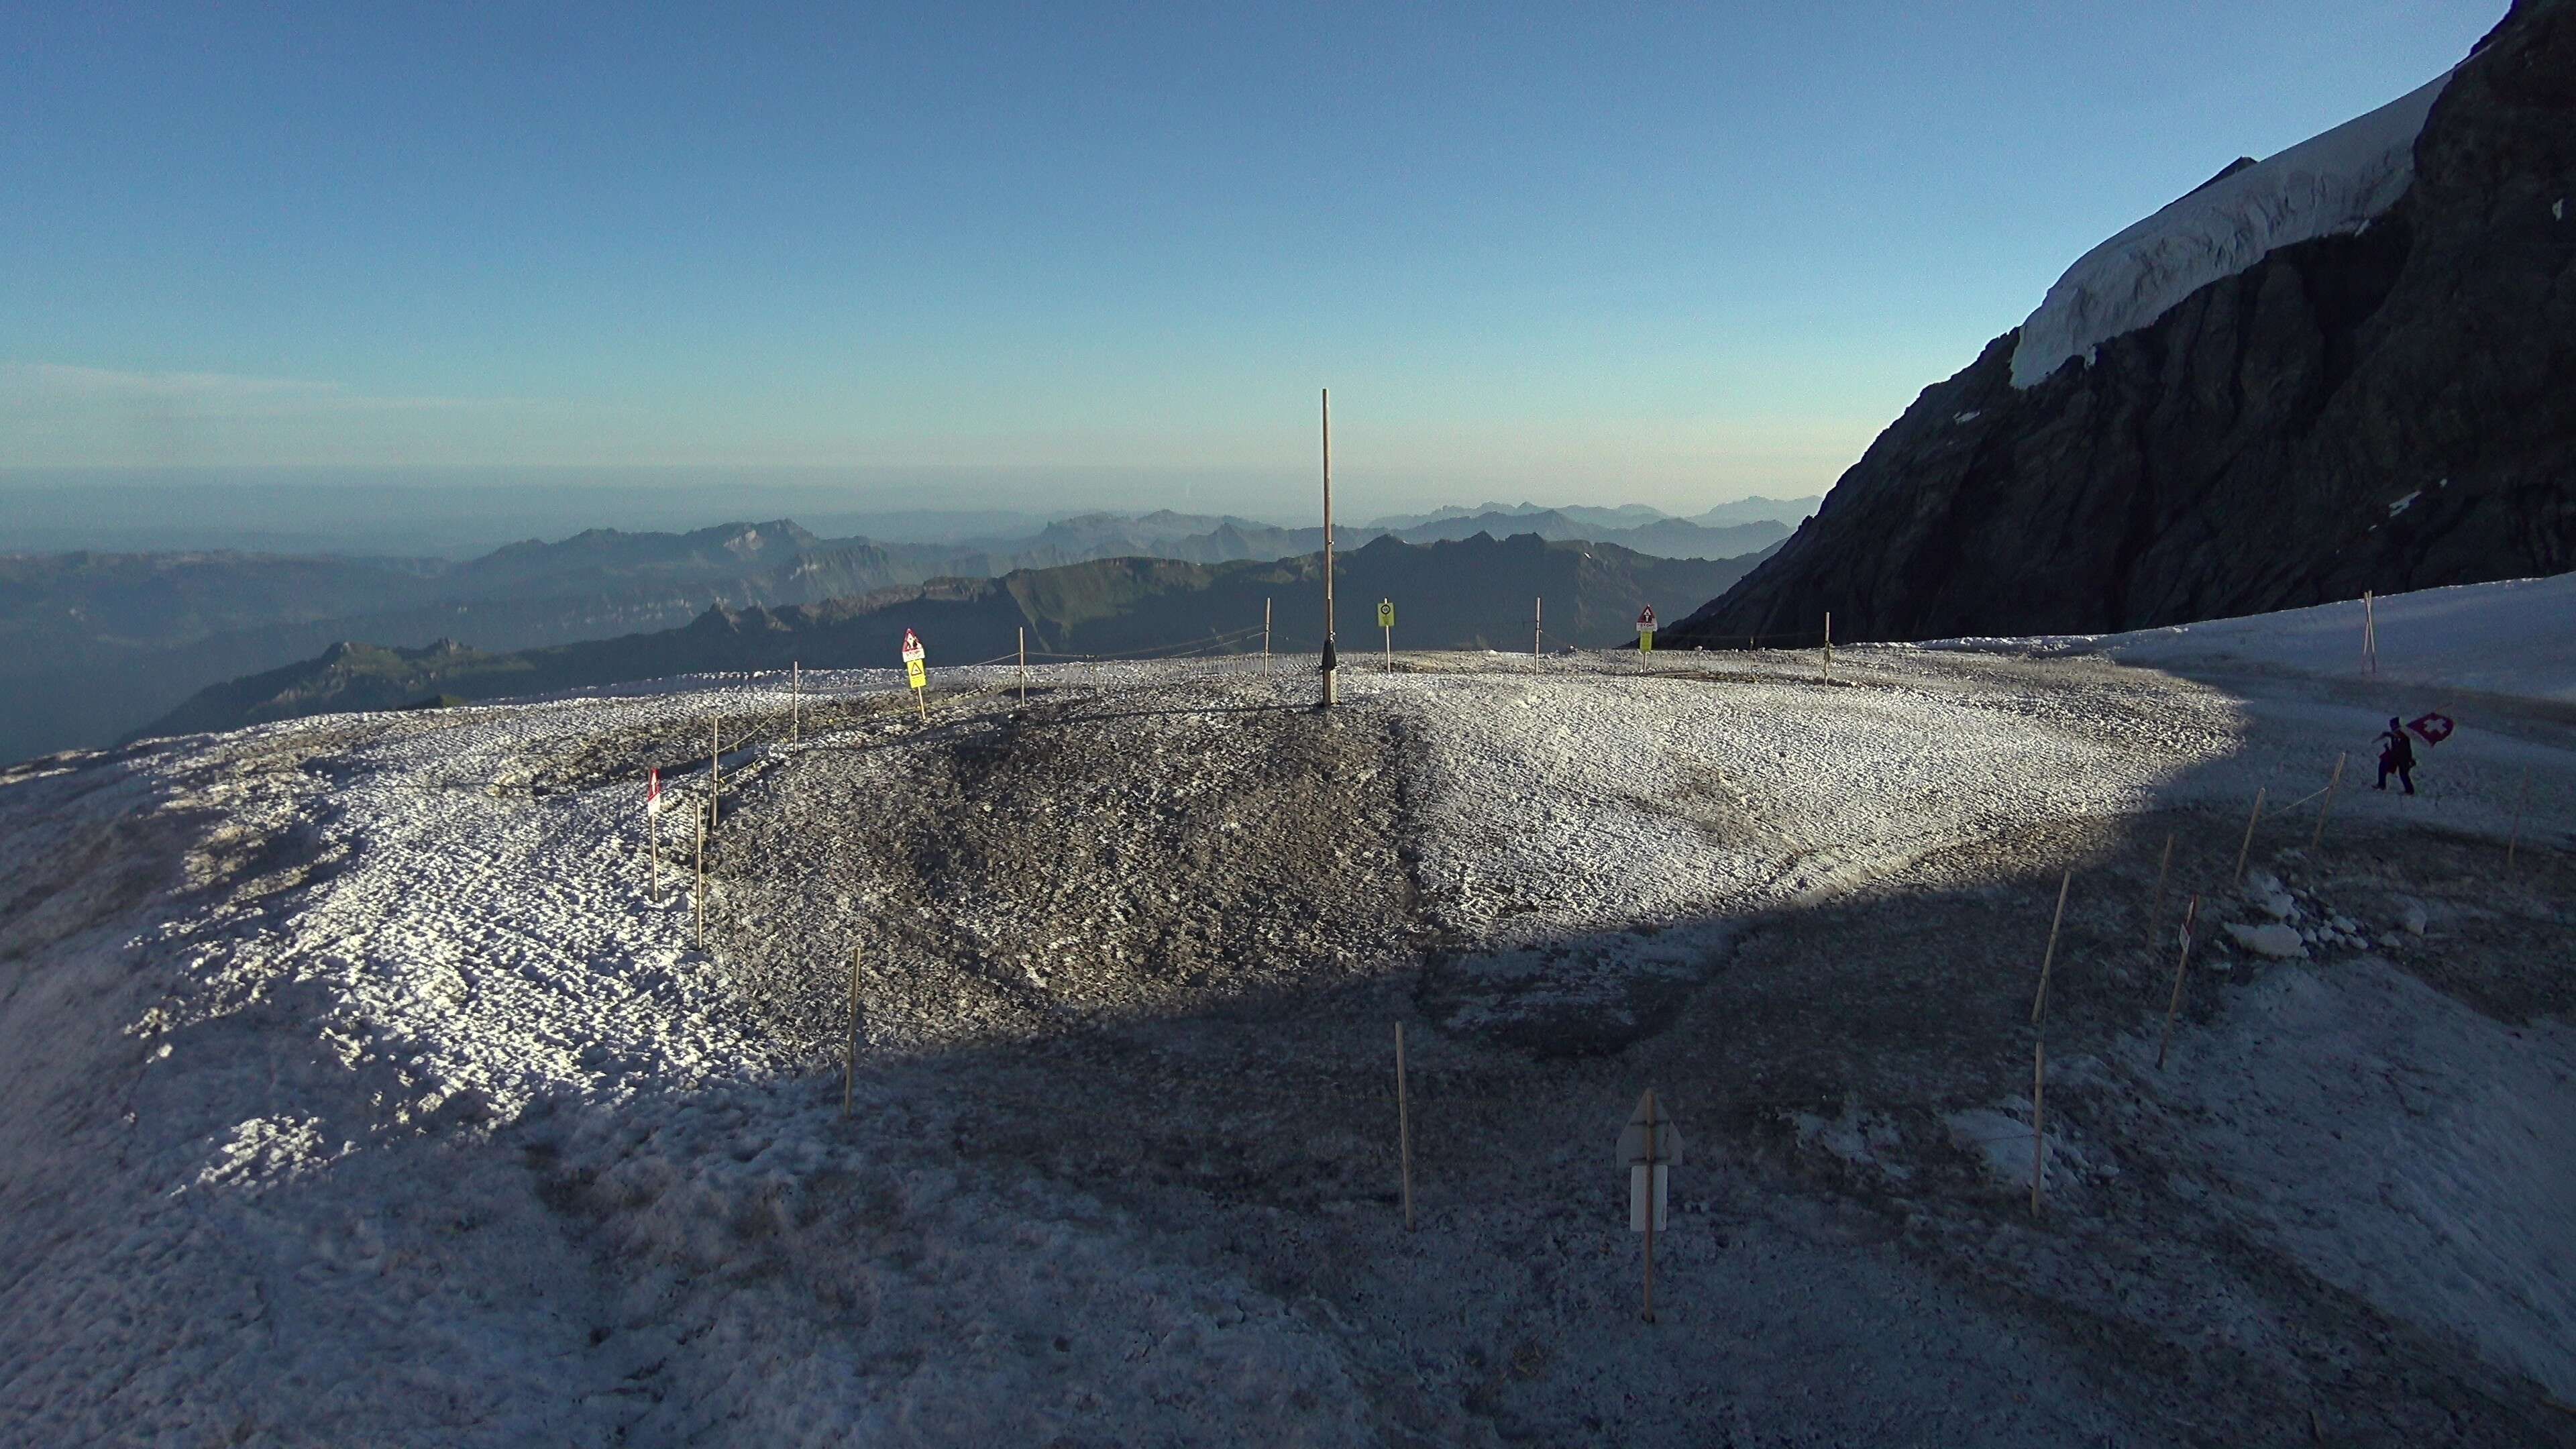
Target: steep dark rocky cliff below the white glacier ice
(2248,450)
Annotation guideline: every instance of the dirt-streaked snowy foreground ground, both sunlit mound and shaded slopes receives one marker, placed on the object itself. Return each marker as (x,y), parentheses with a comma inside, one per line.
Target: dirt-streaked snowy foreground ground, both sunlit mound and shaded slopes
(357,1087)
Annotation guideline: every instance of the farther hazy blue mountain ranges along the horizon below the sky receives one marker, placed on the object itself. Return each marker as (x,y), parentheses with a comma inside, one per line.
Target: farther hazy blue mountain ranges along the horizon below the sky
(94,646)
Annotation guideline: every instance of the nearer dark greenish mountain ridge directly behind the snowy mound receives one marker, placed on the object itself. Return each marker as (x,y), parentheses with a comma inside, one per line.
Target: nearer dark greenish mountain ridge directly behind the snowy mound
(1449,594)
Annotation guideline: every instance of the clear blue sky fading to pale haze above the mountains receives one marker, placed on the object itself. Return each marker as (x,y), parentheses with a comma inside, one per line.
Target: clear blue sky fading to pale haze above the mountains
(1573,251)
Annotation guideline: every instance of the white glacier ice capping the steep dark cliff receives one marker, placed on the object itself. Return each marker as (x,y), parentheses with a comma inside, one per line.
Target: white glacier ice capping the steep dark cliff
(2327,184)
